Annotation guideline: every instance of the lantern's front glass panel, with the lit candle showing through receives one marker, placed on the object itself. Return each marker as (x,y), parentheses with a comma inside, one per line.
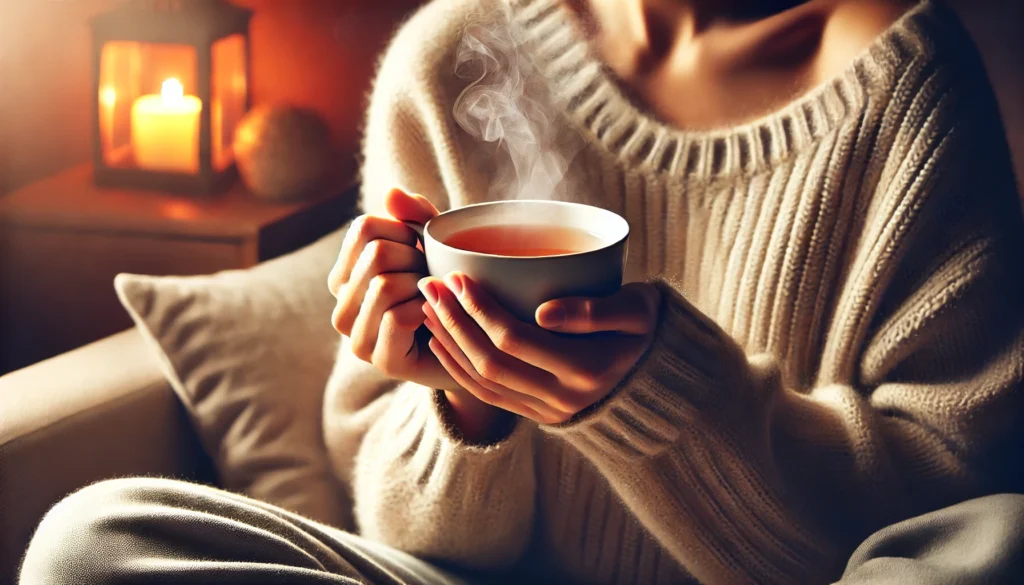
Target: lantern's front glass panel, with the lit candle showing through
(149,117)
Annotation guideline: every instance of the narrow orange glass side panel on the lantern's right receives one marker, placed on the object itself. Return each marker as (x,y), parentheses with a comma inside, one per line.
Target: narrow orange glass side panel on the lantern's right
(229,90)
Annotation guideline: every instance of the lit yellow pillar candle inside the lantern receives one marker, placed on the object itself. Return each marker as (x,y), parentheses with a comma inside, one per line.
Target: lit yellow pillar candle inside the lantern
(165,131)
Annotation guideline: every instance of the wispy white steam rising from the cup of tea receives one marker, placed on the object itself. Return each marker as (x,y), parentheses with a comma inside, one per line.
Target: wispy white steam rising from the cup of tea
(508,104)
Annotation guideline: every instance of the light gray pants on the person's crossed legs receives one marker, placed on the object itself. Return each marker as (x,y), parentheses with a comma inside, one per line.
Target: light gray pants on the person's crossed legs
(159,531)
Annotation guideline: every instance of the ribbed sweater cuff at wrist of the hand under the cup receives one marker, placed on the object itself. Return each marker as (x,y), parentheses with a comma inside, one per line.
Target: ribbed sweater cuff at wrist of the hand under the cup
(689,377)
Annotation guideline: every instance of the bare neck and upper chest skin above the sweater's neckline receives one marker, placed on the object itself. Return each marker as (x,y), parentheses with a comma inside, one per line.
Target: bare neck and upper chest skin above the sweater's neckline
(735,72)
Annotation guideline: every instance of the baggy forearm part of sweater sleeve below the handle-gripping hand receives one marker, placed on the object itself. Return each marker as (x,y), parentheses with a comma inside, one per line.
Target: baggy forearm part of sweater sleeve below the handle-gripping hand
(421,489)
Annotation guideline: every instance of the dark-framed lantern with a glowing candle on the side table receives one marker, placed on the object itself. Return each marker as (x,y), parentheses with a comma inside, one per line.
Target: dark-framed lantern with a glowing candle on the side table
(172,83)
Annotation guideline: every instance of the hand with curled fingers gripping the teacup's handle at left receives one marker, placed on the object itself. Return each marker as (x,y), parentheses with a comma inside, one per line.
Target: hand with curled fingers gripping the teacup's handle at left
(379,306)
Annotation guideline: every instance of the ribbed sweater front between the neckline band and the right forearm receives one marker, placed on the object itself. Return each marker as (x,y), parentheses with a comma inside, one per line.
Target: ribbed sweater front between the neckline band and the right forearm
(763,256)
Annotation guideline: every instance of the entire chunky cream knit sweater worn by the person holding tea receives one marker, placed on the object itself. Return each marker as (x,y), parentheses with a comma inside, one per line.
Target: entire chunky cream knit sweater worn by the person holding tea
(842,347)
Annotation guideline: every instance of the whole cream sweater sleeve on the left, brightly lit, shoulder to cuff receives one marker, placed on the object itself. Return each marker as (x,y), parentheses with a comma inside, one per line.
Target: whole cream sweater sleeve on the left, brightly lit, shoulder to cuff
(417,486)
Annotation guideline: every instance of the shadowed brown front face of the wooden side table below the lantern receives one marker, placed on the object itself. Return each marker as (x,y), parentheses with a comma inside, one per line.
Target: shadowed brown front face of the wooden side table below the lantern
(57,288)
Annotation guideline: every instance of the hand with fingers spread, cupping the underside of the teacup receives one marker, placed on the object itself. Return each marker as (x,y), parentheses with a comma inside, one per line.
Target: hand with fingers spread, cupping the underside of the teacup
(539,372)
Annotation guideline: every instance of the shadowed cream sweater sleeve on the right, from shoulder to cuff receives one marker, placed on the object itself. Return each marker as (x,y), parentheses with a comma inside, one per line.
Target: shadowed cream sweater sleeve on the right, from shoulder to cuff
(746,480)
